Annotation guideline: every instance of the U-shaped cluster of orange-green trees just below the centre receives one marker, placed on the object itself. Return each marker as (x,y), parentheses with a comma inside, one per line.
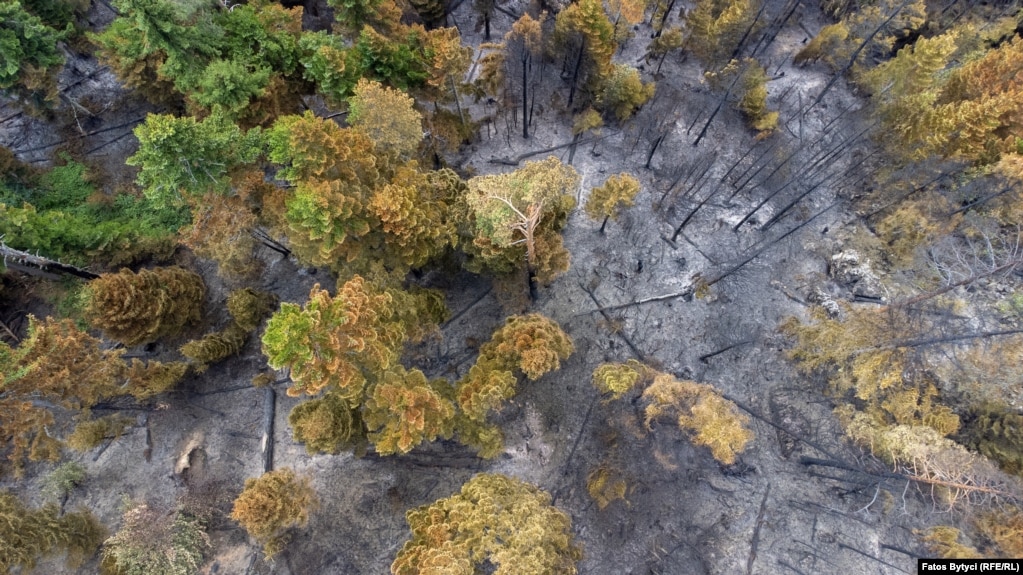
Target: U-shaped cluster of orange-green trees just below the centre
(345,351)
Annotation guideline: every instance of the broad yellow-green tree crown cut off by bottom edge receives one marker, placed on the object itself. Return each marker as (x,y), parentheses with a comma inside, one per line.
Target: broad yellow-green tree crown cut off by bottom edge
(496,521)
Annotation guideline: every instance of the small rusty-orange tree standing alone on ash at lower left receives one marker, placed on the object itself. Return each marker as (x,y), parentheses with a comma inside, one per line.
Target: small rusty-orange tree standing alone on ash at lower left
(274,504)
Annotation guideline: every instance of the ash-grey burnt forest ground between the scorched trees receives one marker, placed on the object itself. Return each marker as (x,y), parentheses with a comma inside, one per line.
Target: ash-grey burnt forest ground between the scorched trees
(684,513)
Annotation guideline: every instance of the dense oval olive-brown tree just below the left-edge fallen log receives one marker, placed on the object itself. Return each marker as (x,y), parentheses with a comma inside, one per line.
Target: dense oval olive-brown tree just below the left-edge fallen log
(139,308)
